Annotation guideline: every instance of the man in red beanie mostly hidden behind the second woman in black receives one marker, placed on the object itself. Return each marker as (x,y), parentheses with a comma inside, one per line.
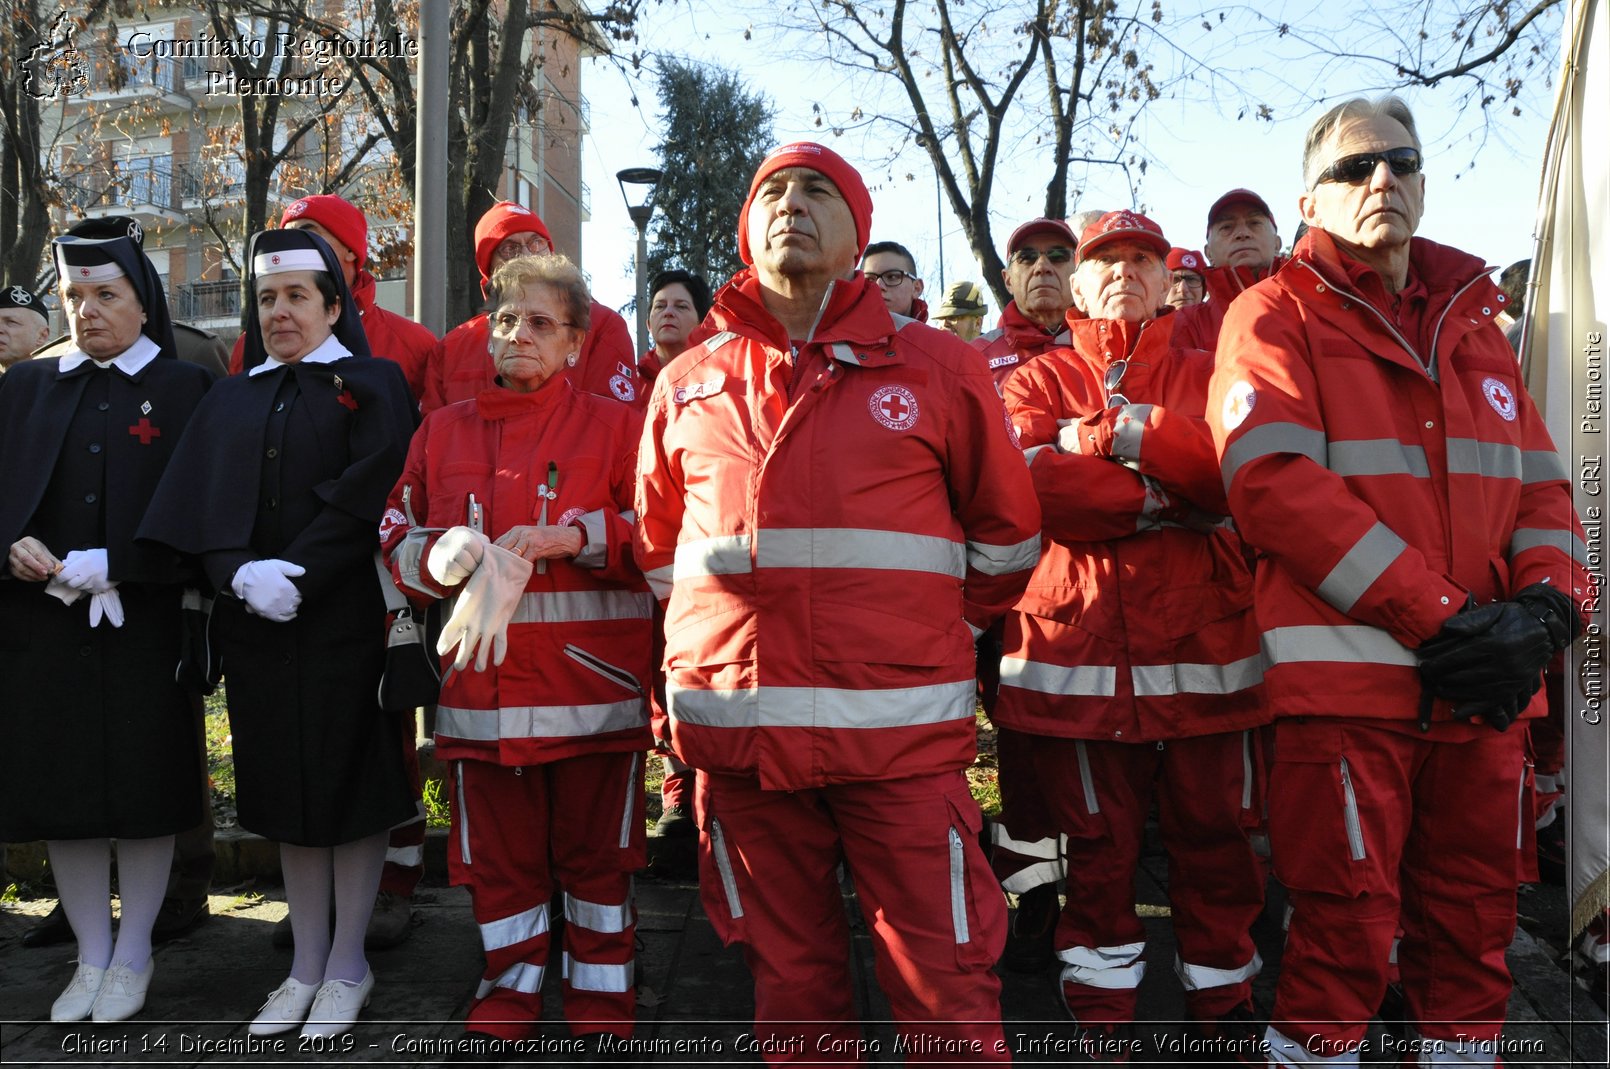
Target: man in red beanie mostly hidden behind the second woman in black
(390,336)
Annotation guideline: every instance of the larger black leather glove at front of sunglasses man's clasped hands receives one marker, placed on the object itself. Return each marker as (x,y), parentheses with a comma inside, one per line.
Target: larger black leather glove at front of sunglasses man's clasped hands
(1490,650)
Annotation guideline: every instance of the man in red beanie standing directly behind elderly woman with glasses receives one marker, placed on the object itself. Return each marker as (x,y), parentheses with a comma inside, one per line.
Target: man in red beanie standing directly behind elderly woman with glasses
(460,369)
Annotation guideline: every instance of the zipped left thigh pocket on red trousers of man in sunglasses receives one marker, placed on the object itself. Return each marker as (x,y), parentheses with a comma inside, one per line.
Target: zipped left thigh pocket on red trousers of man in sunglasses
(1315,827)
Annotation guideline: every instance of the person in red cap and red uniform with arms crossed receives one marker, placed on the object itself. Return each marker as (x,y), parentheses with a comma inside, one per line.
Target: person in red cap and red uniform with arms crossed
(1133,659)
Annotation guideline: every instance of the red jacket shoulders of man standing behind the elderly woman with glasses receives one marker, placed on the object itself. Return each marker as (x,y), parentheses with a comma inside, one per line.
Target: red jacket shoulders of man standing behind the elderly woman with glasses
(461,368)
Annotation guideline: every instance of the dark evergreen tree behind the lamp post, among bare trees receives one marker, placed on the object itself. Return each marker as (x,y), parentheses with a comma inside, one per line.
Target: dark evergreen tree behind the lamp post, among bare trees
(716,138)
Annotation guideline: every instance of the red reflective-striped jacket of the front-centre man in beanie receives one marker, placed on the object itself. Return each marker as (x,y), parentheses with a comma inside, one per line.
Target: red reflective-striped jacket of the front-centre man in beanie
(832,532)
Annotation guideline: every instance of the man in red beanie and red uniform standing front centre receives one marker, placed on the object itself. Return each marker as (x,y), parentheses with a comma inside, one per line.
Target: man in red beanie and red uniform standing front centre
(832,506)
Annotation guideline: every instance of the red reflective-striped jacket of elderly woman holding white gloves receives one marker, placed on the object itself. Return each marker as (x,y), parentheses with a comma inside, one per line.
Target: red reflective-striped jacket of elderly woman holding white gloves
(547,701)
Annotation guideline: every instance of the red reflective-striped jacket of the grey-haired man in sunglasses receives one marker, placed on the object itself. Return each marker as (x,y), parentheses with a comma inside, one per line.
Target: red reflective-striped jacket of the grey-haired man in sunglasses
(1382,495)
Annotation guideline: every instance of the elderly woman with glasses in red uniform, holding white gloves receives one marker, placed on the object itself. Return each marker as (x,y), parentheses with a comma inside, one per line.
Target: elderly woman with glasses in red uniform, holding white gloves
(518,506)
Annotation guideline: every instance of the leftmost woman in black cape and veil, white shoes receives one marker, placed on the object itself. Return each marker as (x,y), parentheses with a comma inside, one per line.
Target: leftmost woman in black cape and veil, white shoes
(101,741)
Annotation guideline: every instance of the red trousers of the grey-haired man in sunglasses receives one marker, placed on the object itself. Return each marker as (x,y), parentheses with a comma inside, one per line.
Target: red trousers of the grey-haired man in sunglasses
(1374,828)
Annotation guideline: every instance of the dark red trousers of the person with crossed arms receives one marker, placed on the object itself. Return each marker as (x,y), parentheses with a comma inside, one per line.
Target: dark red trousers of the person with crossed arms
(1207,791)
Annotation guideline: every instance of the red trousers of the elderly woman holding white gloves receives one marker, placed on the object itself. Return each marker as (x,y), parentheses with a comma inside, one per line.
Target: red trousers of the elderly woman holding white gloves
(516,835)
